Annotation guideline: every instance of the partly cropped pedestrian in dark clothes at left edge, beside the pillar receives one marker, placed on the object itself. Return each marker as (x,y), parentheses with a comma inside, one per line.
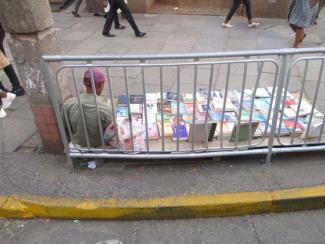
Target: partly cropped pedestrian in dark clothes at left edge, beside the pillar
(9,70)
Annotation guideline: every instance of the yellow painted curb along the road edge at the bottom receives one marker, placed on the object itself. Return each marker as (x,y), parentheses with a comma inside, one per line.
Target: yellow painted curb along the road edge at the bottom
(227,204)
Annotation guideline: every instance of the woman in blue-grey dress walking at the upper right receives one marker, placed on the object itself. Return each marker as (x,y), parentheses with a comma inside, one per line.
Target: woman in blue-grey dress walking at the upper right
(301,14)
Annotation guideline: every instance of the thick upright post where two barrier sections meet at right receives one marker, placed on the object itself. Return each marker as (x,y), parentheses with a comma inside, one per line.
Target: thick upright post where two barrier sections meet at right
(276,110)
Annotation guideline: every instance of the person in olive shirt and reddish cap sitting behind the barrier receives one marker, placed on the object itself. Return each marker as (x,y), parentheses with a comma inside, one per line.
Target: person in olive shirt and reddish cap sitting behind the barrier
(87,100)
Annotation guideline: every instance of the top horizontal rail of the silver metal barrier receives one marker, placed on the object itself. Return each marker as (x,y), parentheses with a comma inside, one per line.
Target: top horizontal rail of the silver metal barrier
(287,51)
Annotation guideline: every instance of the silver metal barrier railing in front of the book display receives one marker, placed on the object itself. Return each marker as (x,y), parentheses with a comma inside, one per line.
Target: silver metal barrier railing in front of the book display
(253,103)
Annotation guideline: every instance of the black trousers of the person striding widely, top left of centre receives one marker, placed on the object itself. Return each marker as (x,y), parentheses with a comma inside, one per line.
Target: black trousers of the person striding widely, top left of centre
(114,6)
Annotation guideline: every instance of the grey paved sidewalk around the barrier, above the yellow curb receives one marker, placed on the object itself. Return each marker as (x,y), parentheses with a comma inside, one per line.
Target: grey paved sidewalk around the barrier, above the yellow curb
(29,171)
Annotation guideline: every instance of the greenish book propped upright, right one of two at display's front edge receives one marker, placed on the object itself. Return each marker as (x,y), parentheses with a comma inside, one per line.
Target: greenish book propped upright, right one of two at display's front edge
(244,131)
